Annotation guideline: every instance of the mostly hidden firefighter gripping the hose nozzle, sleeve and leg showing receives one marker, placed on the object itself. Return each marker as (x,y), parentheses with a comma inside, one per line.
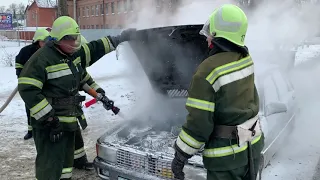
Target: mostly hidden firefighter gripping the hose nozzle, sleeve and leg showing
(80,157)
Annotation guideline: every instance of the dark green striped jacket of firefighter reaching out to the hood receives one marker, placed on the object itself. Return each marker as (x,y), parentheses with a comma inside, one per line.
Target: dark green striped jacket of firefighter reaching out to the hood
(50,82)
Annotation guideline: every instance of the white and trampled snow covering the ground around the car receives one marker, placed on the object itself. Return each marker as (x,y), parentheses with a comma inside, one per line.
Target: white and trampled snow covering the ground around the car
(117,77)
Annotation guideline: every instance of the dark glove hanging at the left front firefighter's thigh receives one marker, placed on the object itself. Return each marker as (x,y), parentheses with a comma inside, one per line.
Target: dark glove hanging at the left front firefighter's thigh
(56,132)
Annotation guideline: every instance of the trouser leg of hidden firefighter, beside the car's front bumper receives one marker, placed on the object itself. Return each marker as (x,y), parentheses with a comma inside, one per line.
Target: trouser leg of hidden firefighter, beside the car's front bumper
(80,157)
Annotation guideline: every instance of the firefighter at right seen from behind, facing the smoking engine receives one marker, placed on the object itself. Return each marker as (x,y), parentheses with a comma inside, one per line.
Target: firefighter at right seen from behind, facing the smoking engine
(223,104)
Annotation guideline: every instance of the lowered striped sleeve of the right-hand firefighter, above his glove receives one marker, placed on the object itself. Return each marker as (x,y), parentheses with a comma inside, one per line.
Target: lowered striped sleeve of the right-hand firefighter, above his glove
(199,126)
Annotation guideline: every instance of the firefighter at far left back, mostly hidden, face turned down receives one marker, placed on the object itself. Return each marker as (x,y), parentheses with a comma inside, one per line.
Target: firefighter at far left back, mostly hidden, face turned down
(25,53)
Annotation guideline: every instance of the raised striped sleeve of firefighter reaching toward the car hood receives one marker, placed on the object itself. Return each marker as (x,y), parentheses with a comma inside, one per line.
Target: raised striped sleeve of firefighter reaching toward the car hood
(94,50)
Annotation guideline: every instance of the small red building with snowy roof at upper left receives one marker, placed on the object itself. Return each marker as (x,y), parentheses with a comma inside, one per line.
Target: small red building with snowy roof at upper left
(41,13)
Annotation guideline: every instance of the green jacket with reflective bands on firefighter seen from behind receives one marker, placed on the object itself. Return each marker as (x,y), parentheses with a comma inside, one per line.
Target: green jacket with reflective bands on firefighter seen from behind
(222,92)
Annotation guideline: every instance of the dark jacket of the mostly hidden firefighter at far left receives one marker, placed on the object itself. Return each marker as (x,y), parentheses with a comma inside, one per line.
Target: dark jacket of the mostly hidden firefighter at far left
(24,55)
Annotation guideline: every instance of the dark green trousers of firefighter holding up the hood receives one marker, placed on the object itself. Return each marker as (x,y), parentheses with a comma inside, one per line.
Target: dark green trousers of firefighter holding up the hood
(54,161)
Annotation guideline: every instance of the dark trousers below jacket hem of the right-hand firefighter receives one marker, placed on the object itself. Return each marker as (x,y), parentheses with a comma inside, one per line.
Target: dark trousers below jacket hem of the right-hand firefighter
(235,174)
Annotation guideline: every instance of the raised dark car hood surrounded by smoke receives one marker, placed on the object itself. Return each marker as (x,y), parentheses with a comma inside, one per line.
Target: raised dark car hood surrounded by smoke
(170,56)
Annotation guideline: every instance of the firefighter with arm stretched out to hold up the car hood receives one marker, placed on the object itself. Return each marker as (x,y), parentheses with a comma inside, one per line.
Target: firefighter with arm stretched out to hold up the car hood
(49,84)
